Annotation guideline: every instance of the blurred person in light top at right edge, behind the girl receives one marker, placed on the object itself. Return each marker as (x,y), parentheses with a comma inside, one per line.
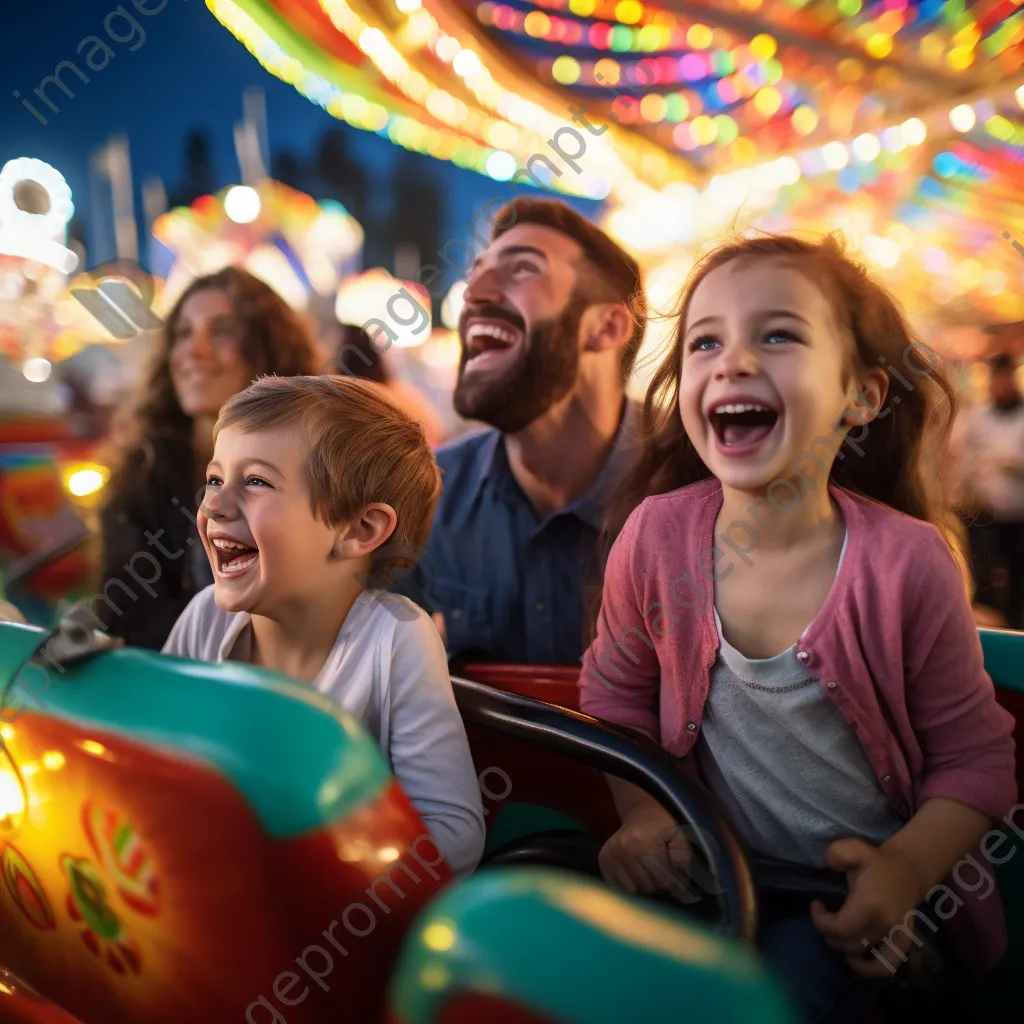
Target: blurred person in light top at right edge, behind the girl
(993,478)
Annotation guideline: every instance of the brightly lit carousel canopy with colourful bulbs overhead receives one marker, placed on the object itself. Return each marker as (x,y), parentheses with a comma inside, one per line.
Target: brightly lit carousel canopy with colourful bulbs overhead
(898,122)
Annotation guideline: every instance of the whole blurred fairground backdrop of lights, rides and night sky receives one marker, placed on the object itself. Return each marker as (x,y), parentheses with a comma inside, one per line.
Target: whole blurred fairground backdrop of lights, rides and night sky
(336,149)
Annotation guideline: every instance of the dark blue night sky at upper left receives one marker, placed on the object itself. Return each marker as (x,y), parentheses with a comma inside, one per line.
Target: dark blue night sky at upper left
(189,74)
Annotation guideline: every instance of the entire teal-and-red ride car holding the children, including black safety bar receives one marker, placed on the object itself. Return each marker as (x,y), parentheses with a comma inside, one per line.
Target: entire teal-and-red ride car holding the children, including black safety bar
(214,843)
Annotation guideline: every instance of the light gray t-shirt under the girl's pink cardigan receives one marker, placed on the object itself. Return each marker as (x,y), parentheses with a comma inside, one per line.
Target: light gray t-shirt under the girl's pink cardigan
(786,765)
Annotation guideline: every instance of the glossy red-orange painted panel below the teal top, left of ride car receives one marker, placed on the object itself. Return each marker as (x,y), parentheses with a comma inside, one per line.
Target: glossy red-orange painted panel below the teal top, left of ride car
(141,887)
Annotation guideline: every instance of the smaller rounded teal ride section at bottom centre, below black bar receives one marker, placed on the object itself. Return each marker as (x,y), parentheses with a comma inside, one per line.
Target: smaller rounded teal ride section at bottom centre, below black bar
(540,947)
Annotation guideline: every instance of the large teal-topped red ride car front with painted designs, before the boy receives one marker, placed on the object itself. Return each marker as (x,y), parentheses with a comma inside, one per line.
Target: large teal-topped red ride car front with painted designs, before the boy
(182,841)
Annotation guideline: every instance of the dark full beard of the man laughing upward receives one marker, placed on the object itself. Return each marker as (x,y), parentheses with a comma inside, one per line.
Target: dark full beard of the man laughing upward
(542,373)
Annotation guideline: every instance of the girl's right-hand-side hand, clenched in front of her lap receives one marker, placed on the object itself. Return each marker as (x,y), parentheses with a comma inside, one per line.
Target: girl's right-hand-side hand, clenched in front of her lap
(884,889)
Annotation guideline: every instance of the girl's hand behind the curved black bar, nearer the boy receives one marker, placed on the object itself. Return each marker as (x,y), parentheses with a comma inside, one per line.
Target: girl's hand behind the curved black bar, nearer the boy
(649,855)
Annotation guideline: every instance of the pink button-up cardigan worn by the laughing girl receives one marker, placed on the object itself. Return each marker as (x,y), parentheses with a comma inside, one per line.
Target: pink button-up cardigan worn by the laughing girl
(894,647)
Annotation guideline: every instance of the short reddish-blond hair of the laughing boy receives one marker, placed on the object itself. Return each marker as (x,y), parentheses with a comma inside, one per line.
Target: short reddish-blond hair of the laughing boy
(362,448)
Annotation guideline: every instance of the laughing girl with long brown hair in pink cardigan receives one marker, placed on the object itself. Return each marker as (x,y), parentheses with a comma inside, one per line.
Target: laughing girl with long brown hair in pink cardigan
(790,613)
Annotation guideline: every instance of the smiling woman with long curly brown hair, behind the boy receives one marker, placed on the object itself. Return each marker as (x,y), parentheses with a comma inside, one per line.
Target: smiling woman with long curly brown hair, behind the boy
(226,330)
